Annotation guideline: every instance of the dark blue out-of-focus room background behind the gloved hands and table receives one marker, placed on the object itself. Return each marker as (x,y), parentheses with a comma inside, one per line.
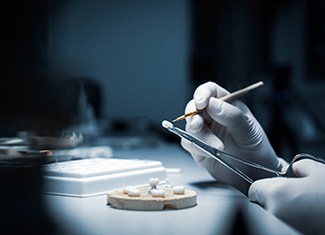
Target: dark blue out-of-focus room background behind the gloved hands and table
(112,67)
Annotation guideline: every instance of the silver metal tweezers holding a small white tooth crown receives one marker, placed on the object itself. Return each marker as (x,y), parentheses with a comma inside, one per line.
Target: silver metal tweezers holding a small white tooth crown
(223,158)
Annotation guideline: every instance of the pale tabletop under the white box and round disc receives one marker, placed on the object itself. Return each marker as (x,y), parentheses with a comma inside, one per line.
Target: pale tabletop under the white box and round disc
(215,212)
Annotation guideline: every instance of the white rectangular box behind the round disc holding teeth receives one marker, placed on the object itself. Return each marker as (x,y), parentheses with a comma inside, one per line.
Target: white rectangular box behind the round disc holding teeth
(97,176)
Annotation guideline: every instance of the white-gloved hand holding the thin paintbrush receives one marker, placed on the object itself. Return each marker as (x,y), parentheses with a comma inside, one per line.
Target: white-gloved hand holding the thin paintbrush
(228,127)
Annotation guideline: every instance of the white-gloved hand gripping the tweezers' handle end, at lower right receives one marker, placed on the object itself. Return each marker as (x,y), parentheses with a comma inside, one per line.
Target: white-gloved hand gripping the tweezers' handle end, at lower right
(298,201)
